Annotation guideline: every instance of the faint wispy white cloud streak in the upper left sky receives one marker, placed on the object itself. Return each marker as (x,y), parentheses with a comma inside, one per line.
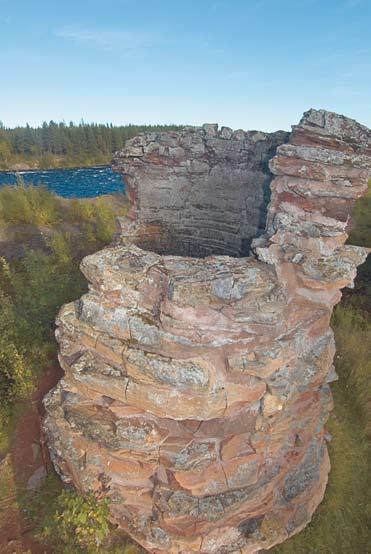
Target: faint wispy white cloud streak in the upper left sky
(105,38)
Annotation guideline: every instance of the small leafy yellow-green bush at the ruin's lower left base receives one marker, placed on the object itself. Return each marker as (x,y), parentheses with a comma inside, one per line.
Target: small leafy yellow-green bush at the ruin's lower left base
(78,524)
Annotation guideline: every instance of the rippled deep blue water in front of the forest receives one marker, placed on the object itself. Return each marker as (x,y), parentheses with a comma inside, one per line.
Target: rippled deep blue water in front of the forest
(70,183)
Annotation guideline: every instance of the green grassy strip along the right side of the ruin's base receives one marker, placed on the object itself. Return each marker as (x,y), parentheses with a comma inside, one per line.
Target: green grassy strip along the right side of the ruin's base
(341,523)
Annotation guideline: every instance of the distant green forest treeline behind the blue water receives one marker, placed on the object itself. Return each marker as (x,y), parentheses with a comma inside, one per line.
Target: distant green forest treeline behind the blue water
(60,145)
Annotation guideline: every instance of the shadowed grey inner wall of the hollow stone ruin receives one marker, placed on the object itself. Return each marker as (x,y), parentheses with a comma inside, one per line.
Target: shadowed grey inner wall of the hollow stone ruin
(203,194)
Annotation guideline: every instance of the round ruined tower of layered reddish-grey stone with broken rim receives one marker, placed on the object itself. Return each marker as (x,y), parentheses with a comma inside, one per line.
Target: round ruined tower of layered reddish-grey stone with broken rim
(197,371)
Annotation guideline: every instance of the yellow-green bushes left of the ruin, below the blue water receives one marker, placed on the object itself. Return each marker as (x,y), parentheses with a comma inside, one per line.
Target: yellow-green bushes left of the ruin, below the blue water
(34,286)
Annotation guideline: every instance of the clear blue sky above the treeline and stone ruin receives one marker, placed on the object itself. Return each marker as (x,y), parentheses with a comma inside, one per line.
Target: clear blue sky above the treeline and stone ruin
(252,64)
